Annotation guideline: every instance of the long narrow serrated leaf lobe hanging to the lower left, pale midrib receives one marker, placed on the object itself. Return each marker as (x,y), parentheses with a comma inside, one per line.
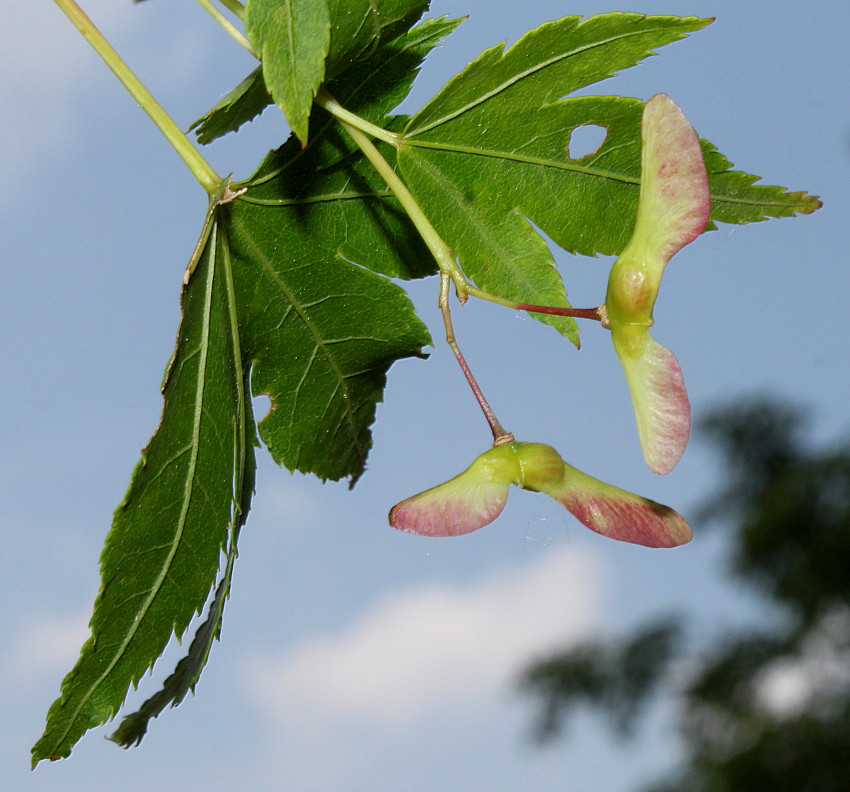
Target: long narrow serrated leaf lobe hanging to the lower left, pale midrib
(189,492)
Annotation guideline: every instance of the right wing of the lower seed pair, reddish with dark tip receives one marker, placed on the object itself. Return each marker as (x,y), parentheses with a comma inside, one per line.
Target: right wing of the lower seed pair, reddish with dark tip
(620,515)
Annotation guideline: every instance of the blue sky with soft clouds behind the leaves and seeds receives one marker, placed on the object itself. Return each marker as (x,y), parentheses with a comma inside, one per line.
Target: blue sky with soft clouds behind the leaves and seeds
(355,658)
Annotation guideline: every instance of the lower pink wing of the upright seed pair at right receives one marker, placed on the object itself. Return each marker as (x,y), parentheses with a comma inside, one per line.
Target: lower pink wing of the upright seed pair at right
(662,408)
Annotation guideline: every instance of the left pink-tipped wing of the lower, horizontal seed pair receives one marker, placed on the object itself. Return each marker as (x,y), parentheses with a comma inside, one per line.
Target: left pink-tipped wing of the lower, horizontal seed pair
(460,506)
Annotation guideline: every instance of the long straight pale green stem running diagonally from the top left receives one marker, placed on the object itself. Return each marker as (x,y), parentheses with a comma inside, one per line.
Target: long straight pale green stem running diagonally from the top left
(200,168)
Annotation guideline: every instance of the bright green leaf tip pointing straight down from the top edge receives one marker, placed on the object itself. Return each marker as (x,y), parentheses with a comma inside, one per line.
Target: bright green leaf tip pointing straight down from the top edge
(292,38)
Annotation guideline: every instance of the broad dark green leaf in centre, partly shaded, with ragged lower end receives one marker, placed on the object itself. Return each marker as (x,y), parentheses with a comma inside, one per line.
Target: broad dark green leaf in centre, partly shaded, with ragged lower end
(320,331)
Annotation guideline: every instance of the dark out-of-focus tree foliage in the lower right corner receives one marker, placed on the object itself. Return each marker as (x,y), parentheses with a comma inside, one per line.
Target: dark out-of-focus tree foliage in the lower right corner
(768,709)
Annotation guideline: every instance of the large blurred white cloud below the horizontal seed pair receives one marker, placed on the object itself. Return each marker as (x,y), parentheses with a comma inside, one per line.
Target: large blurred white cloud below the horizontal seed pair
(413,653)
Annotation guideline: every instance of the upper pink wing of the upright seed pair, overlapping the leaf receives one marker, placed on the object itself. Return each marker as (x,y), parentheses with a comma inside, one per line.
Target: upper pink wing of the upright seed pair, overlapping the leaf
(675,200)
